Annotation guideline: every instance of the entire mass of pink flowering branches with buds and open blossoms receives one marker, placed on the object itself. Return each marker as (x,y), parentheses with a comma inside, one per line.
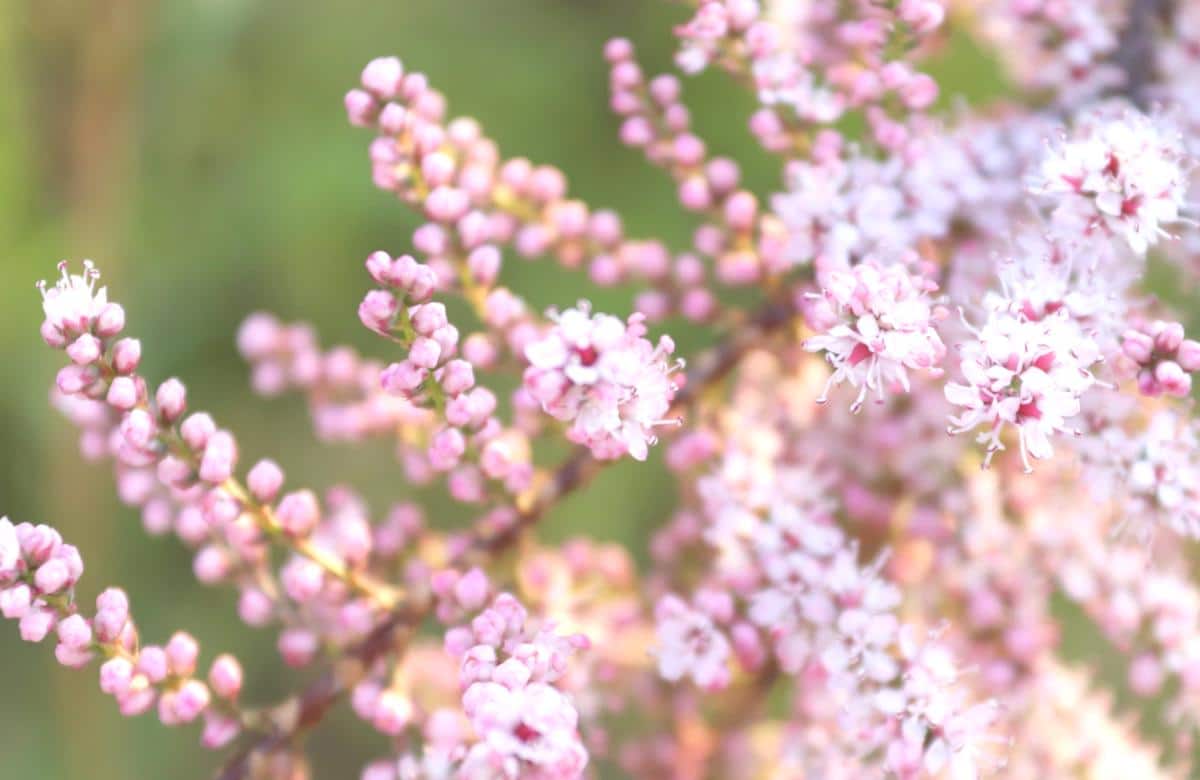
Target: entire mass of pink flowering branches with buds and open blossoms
(841,590)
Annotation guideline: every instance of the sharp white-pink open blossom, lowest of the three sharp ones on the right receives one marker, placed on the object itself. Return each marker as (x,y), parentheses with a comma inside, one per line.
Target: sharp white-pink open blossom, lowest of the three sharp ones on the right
(1024,373)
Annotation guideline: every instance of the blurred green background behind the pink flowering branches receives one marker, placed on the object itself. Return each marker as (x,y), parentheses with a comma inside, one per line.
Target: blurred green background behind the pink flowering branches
(197,151)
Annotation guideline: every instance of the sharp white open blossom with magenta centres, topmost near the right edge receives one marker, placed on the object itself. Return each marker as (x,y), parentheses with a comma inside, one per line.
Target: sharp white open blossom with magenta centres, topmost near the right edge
(1119,171)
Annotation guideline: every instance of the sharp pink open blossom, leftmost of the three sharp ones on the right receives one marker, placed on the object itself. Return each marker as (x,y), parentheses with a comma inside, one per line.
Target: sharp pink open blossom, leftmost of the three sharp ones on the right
(885,326)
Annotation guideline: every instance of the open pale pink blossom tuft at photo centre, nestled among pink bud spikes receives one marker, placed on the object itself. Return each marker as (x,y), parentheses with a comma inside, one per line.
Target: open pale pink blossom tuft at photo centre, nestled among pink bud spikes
(605,379)
